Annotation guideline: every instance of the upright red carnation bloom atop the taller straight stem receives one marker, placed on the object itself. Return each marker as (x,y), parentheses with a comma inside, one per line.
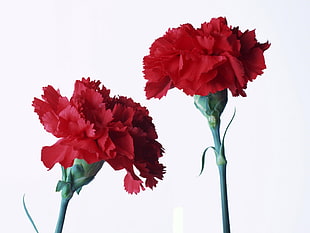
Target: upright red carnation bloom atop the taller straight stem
(204,60)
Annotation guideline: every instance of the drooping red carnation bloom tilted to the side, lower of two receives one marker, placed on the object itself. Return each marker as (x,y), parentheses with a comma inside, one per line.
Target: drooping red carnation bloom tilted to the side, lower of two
(95,127)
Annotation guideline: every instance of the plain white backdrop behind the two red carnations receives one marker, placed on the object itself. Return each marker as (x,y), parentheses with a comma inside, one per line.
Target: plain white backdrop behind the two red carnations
(267,146)
